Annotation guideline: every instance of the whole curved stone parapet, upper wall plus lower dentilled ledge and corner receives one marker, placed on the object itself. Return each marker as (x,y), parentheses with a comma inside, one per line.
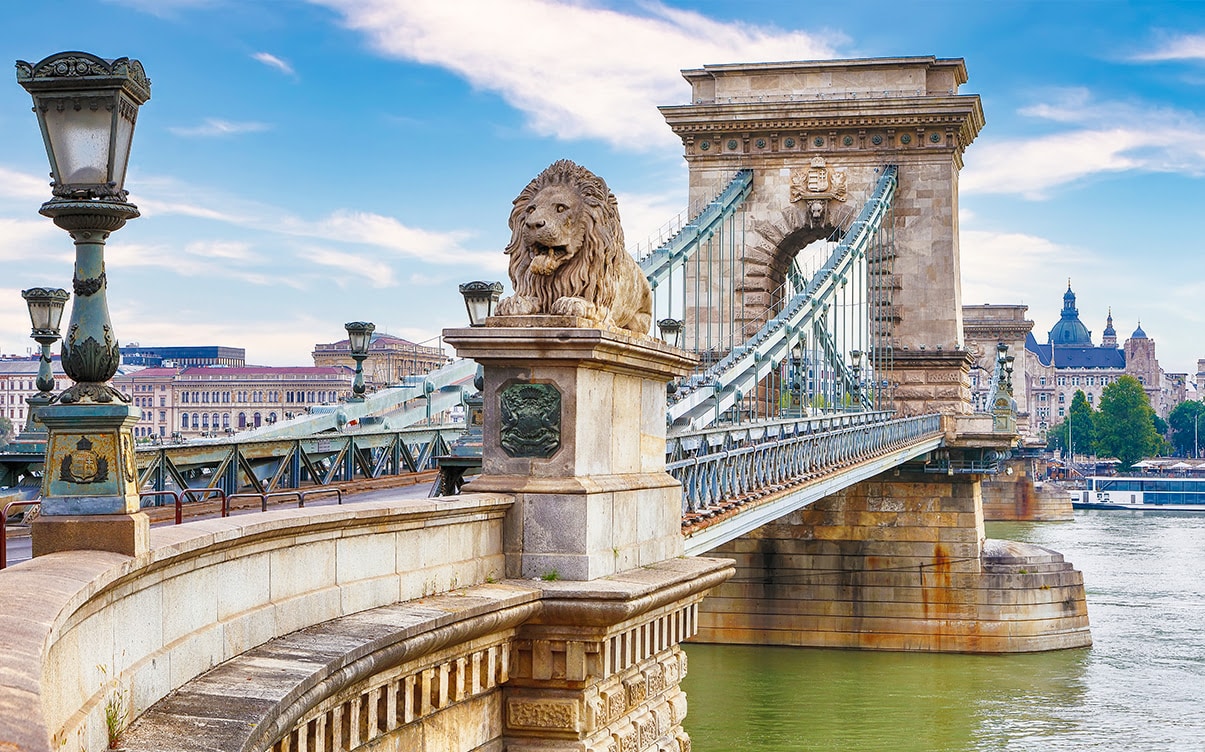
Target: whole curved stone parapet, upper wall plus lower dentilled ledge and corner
(381,626)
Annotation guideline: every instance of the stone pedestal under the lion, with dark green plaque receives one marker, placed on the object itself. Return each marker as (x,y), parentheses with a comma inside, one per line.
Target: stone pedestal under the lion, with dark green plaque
(575,430)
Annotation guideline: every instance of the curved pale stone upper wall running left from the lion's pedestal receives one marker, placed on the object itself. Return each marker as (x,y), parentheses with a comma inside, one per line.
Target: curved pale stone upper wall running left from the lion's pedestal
(84,630)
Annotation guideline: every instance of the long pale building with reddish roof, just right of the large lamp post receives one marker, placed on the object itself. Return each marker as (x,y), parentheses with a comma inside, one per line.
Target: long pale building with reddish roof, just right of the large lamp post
(219,401)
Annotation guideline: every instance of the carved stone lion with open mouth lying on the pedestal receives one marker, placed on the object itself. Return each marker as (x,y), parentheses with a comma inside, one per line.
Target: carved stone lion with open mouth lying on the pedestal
(568,256)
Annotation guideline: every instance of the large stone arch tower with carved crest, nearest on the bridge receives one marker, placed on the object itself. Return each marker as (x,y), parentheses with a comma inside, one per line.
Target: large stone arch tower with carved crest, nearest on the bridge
(815,136)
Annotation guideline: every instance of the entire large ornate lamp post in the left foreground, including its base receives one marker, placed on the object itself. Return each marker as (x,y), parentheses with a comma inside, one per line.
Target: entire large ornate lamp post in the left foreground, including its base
(87,108)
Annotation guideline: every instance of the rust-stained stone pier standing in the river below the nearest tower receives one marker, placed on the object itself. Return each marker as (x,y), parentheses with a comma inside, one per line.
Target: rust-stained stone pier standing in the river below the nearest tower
(898,562)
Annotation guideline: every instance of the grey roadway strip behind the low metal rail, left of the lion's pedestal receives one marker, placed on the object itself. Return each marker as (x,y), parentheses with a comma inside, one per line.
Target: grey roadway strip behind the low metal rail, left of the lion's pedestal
(20,545)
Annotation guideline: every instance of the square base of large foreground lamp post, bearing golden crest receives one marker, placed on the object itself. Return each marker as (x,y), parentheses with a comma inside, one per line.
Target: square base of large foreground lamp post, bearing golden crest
(90,487)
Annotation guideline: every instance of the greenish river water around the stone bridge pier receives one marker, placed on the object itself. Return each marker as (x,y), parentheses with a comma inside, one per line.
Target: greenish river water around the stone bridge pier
(1139,689)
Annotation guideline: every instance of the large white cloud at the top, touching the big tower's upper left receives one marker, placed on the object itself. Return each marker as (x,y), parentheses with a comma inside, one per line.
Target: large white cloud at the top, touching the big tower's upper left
(577,69)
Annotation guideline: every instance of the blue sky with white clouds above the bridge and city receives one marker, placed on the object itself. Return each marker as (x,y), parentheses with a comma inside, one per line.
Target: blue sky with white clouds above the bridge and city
(307,163)
